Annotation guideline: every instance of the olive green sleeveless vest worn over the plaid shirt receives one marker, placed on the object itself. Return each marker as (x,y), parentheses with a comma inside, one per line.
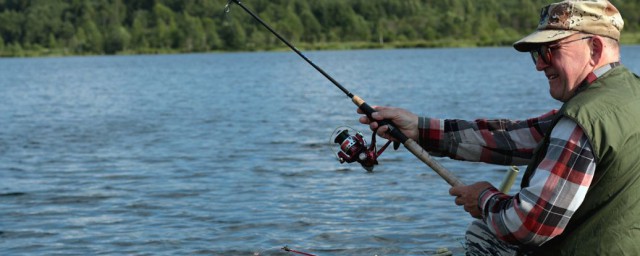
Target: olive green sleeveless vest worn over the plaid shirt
(608,221)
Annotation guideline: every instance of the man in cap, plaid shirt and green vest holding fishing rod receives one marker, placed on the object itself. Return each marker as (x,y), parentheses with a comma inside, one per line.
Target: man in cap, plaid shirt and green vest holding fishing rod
(580,194)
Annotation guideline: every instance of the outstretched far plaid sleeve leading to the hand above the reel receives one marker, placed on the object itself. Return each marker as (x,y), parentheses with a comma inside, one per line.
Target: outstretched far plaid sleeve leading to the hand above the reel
(498,141)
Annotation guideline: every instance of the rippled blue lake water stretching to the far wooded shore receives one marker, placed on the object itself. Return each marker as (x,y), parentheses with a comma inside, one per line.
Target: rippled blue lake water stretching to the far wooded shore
(230,153)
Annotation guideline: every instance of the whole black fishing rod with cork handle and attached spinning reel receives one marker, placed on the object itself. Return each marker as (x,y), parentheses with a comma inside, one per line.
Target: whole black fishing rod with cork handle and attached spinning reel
(345,140)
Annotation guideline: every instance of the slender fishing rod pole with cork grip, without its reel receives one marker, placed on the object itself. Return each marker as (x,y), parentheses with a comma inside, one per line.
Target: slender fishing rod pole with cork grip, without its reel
(410,144)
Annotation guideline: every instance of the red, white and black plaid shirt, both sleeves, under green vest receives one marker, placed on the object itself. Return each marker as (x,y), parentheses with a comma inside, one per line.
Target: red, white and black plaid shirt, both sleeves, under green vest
(557,188)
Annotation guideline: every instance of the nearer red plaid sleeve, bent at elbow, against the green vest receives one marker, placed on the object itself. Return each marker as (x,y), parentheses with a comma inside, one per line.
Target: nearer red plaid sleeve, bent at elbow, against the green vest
(558,187)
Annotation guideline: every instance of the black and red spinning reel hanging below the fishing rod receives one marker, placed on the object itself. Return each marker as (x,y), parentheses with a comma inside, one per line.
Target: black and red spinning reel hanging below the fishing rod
(353,148)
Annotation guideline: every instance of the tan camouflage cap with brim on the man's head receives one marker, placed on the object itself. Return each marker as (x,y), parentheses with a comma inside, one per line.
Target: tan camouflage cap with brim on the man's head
(562,19)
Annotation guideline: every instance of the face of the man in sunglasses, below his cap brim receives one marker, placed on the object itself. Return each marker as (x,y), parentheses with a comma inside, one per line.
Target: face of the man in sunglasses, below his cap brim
(567,65)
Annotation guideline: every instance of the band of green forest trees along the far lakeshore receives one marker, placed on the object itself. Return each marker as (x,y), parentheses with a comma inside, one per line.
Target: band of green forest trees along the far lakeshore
(66,27)
